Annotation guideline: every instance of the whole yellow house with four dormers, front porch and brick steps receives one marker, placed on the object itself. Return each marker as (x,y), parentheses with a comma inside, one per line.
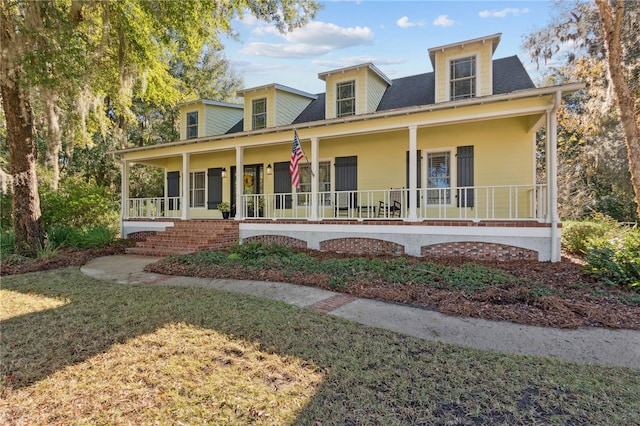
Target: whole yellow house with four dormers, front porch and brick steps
(440,163)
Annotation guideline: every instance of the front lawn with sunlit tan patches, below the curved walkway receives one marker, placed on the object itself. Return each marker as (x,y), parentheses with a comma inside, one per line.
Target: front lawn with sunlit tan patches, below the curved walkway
(76,350)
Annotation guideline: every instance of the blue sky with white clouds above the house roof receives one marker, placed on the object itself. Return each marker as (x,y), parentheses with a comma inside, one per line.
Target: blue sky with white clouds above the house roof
(393,35)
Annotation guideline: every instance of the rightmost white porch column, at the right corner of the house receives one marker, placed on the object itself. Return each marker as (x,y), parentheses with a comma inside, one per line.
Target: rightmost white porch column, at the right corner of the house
(552,178)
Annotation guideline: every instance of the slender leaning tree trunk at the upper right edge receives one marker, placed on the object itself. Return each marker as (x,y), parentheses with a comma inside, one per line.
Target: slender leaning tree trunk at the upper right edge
(611,26)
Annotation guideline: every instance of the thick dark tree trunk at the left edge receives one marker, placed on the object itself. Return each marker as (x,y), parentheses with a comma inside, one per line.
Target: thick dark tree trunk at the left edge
(27,220)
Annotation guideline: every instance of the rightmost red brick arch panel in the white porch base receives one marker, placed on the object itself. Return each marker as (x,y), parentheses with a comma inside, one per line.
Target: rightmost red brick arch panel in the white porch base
(479,250)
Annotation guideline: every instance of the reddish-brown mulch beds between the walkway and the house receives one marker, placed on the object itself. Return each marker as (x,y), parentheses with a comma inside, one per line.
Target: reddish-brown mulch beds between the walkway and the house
(571,299)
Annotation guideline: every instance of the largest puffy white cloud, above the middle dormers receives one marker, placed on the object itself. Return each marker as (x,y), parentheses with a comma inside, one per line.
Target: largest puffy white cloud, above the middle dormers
(316,38)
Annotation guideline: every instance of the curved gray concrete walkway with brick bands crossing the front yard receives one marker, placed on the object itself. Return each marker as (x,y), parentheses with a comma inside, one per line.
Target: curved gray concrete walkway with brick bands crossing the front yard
(585,345)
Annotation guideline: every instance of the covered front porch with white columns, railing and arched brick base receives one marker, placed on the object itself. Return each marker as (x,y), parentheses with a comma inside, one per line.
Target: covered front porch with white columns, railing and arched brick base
(428,181)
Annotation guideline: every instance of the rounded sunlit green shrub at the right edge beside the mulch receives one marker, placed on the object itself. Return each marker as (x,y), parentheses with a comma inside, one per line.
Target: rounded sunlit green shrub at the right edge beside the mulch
(614,258)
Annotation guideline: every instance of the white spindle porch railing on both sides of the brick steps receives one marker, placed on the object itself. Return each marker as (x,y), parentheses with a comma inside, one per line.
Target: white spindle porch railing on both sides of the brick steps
(501,202)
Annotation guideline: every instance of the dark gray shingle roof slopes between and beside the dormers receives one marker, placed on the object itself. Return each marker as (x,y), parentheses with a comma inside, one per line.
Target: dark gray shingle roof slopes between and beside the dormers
(509,75)
